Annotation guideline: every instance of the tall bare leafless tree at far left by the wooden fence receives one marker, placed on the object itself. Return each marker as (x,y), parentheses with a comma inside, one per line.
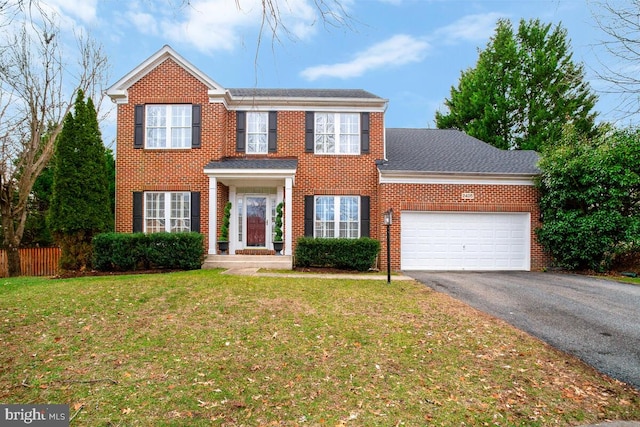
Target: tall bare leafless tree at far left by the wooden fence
(37,87)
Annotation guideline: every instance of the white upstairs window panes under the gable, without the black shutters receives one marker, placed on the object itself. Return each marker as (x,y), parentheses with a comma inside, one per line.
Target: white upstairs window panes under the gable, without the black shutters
(168,126)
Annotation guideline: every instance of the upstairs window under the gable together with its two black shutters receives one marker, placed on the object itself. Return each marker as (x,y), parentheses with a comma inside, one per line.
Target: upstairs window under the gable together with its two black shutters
(167,126)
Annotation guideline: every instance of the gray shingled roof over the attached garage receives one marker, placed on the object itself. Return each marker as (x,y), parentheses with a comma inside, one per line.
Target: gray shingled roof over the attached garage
(452,151)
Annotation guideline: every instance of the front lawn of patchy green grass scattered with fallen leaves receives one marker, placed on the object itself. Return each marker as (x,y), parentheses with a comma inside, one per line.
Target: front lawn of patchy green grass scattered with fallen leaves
(201,348)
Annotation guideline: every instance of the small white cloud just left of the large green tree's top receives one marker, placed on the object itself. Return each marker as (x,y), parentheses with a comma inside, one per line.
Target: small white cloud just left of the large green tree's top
(470,28)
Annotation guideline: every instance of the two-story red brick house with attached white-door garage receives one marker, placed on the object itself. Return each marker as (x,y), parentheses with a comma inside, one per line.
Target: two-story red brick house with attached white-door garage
(186,145)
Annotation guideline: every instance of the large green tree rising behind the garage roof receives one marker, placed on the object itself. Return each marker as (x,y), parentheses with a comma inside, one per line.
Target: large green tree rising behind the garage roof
(524,88)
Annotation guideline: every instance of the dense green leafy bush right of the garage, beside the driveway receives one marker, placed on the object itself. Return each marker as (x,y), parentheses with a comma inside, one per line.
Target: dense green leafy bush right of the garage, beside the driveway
(590,198)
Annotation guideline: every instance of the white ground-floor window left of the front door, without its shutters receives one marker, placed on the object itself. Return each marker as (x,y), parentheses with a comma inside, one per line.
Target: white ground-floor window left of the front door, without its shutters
(167,211)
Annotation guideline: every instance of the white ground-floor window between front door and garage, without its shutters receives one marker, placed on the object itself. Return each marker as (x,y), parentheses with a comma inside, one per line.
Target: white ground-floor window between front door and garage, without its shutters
(337,216)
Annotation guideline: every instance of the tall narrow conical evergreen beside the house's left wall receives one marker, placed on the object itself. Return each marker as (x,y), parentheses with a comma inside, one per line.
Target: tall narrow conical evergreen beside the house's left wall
(80,203)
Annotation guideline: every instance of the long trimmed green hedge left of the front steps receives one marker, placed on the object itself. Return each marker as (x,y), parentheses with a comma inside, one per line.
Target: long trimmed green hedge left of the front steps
(130,252)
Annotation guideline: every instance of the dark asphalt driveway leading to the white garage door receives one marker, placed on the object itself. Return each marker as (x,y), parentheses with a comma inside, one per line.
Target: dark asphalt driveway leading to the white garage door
(596,320)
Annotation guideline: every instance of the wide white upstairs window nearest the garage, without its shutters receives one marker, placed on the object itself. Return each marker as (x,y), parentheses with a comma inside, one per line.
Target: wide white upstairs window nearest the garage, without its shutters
(337,133)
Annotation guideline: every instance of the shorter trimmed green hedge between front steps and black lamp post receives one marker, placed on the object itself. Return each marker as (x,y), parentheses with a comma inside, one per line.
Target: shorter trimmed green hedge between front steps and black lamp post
(348,254)
